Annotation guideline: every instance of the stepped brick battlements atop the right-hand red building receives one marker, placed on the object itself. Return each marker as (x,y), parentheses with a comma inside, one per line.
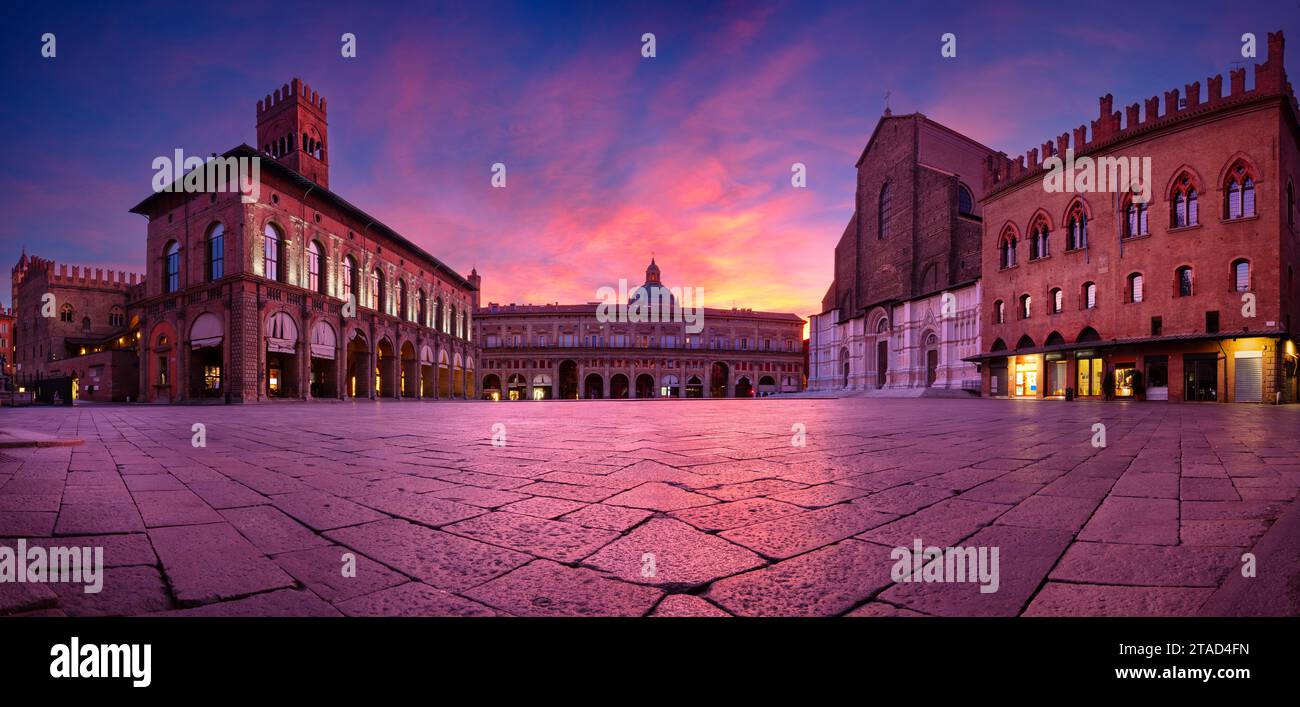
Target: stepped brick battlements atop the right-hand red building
(1111,127)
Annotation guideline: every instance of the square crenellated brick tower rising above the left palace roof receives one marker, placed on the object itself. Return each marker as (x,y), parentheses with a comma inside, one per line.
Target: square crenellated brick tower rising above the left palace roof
(292,129)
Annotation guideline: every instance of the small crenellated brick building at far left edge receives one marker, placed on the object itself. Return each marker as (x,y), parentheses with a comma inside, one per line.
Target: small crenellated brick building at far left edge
(75,323)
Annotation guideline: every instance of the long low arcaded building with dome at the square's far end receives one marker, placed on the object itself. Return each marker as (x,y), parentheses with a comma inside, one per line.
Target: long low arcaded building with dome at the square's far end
(564,352)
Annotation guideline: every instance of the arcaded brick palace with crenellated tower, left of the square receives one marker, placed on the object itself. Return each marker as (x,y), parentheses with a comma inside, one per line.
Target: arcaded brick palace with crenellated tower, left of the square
(248,290)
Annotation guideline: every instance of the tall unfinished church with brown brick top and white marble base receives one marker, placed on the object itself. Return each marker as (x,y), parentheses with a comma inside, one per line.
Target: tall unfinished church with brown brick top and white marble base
(903,311)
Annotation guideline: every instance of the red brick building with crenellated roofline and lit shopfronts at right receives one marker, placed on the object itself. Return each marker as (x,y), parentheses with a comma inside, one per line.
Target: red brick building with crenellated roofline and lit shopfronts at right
(1191,297)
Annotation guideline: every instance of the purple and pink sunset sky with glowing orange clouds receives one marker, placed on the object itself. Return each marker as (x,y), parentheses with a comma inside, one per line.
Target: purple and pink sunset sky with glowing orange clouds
(610,157)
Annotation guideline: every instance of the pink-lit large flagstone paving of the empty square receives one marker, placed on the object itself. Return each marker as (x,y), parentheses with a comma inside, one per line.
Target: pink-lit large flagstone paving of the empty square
(653,508)
